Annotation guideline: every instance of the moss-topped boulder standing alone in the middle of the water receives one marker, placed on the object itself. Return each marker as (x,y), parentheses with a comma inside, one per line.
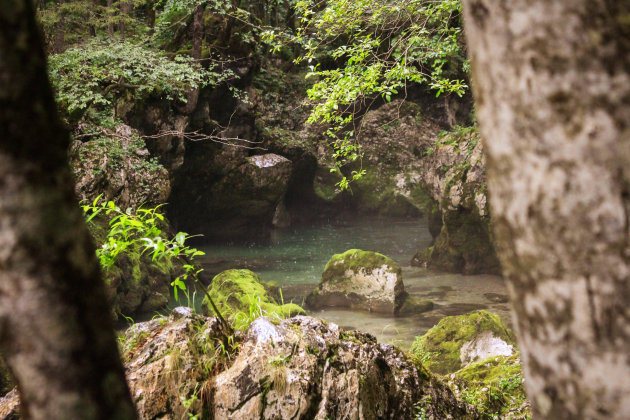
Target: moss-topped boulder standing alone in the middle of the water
(360,280)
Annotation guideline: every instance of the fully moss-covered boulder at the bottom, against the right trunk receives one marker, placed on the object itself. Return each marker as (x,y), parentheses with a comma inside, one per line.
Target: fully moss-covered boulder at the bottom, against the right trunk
(494,386)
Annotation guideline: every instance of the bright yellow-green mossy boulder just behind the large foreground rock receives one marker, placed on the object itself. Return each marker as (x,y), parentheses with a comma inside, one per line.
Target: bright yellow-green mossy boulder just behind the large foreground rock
(242,296)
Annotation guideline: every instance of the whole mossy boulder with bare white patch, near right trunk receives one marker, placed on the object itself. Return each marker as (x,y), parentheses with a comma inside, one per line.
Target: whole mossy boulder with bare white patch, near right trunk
(457,341)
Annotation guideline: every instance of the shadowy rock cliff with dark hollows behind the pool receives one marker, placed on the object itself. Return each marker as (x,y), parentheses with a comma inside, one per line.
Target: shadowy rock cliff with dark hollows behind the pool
(219,184)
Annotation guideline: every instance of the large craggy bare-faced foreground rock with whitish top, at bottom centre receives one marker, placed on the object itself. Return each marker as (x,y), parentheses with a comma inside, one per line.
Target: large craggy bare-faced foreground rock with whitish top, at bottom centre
(305,368)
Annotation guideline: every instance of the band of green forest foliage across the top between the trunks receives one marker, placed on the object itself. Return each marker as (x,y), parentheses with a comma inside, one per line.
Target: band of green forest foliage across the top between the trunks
(353,53)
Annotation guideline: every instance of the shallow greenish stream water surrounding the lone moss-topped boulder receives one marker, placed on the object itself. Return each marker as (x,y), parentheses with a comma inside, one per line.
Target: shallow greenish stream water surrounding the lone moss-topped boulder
(295,259)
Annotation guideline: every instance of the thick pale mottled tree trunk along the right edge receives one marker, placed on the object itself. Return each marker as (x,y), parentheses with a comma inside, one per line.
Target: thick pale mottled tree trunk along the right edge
(551,80)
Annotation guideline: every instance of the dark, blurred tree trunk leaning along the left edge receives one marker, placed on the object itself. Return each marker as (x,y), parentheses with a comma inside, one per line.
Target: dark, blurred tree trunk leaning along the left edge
(56,330)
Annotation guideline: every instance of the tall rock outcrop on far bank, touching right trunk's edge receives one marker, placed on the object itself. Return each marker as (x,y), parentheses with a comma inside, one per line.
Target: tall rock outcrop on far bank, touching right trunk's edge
(453,176)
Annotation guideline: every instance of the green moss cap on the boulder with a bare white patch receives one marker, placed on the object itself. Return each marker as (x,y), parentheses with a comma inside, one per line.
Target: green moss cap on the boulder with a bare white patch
(439,349)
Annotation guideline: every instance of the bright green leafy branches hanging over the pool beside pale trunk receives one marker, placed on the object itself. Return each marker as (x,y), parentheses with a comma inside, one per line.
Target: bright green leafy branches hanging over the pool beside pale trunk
(360,51)
